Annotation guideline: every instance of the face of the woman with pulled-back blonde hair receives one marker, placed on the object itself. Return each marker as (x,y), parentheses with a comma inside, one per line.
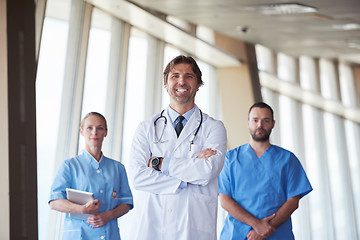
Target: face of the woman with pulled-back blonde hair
(94,131)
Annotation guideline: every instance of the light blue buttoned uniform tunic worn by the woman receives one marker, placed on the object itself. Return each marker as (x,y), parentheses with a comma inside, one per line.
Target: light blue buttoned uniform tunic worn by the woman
(108,181)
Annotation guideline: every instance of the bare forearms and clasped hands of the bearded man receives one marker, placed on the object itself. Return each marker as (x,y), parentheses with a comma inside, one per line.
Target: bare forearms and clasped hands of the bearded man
(262,228)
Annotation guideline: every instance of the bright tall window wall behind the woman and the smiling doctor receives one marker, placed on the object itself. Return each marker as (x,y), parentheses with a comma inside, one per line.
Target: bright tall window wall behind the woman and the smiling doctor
(91,85)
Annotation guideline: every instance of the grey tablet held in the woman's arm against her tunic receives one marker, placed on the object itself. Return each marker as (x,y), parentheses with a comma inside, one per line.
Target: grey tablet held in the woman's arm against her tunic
(79,197)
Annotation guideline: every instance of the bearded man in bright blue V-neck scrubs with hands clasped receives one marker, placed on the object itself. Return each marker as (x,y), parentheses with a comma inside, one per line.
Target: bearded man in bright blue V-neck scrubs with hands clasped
(261,184)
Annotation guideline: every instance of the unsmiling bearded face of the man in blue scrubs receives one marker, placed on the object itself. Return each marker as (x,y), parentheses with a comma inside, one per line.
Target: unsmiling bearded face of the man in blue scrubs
(260,124)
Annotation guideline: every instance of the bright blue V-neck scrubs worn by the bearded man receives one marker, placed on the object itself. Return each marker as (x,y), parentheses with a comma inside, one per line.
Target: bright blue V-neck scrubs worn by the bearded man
(261,186)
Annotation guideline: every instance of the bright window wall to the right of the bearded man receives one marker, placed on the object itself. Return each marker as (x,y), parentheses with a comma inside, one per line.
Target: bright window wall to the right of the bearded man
(330,158)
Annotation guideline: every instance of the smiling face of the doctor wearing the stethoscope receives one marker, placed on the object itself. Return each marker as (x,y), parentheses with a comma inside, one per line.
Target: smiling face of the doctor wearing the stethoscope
(182,85)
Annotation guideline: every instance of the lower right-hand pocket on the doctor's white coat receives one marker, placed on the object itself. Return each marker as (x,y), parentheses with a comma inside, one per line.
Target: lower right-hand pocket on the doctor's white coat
(204,210)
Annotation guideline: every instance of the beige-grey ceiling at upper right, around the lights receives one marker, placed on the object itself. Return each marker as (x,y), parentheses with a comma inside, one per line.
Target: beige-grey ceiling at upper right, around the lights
(297,34)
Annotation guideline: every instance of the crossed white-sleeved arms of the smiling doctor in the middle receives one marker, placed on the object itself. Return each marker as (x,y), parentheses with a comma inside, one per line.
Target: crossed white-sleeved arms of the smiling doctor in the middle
(182,167)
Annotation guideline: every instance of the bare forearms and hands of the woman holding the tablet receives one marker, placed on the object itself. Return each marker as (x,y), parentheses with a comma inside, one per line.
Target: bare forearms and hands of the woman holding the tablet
(96,219)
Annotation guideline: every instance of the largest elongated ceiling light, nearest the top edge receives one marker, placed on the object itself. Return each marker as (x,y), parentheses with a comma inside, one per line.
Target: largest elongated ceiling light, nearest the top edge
(282,8)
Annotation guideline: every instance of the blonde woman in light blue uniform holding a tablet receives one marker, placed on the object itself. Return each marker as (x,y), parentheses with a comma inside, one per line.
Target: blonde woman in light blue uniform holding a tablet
(92,172)
